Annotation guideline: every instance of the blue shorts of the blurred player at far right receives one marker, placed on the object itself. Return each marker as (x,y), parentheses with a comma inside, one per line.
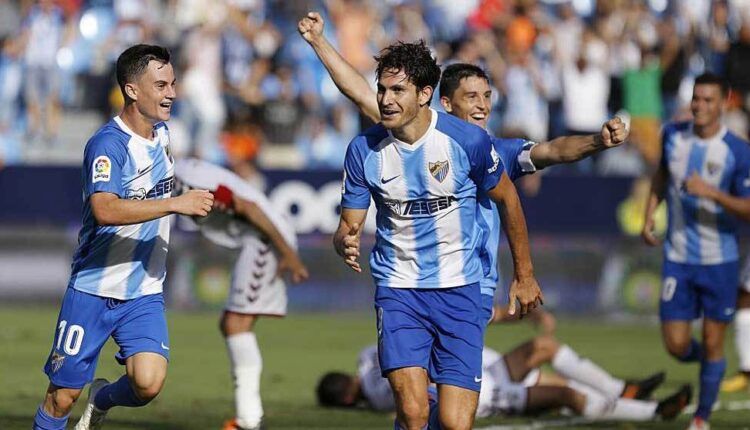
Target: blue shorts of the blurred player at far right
(689,290)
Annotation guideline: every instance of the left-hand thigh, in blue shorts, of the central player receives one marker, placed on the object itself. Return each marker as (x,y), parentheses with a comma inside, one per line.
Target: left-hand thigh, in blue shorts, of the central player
(405,338)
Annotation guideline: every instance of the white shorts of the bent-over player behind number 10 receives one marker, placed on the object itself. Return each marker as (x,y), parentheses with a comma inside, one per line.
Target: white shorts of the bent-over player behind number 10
(256,290)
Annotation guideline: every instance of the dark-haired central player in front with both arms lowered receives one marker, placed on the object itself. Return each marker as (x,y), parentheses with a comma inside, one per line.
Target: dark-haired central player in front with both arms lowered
(423,169)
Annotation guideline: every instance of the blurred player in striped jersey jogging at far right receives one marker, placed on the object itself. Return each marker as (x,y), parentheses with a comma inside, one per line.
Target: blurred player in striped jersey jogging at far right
(700,272)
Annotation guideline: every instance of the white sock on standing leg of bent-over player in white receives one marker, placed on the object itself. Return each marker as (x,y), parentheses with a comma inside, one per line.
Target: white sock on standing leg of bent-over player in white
(247,365)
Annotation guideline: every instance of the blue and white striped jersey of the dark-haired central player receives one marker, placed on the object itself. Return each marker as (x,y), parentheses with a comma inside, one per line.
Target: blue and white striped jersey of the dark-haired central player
(426,198)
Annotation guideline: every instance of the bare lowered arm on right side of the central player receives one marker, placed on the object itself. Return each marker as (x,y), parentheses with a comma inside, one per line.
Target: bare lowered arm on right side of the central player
(524,286)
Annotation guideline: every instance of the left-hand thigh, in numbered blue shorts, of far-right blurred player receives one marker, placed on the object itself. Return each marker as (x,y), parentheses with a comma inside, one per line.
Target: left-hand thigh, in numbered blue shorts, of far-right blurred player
(678,300)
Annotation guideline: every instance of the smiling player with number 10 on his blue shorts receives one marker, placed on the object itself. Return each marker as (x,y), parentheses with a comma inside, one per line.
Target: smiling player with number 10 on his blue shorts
(115,287)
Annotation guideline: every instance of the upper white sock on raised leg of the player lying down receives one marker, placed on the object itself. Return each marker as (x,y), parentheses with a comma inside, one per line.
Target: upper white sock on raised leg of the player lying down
(570,365)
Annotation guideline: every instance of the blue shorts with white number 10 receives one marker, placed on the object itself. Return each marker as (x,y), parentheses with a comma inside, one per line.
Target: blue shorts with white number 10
(86,322)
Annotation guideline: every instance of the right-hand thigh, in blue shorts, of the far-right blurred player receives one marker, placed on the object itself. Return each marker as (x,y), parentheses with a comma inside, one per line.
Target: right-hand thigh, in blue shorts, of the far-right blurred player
(718,292)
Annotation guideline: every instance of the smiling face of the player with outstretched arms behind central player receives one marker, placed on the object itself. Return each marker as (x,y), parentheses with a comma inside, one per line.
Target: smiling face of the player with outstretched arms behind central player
(471,101)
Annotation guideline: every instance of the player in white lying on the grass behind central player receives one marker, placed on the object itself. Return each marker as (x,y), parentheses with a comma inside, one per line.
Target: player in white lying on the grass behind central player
(513,384)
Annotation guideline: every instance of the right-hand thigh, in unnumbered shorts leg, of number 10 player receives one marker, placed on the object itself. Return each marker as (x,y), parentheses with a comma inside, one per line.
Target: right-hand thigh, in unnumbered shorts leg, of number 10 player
(141,327)
